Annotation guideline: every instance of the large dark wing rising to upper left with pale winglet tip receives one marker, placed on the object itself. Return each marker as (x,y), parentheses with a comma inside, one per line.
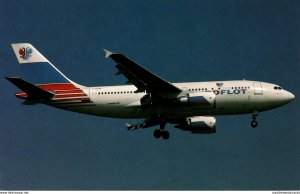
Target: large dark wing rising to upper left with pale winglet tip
(142,78)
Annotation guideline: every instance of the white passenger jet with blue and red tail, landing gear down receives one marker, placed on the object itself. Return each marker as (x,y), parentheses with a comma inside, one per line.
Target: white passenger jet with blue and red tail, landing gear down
(189,106)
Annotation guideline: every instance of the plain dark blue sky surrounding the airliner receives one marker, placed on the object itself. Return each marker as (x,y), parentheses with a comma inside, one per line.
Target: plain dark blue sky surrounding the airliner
(46,148)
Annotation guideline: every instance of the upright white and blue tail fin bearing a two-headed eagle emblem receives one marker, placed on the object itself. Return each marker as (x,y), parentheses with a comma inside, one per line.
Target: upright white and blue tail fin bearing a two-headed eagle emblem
(36,68)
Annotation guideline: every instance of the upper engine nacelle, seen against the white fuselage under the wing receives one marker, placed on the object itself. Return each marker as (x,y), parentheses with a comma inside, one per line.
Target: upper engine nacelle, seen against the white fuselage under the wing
(199,99)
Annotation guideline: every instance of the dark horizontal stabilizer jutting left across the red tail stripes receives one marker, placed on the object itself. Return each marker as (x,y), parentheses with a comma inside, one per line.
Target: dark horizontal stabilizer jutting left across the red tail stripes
(33,91)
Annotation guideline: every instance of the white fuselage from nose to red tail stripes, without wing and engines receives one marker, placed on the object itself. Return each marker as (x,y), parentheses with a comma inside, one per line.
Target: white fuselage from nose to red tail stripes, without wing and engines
(231,97)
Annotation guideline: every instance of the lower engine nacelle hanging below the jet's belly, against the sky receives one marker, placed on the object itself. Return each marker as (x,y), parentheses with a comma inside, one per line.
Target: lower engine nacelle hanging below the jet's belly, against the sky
(199,124)
